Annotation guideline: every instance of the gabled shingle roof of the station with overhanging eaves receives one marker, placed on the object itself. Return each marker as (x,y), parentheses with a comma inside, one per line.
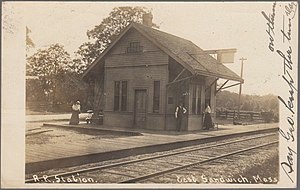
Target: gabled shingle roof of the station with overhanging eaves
(183,51)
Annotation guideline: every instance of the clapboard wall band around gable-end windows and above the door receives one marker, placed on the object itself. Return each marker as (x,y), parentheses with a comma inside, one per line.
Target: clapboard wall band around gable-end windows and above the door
(137,78)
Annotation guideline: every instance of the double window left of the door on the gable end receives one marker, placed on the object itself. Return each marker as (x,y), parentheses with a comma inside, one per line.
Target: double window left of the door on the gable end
(120,96)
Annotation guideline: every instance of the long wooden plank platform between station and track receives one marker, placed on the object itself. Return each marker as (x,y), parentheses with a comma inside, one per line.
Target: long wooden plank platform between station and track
(72,153)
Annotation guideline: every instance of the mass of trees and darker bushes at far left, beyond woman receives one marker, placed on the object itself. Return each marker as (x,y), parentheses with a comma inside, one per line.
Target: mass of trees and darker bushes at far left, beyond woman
(58,80)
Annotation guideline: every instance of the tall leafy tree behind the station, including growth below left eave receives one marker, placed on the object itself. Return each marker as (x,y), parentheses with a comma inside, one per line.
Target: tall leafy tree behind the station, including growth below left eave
(100,37)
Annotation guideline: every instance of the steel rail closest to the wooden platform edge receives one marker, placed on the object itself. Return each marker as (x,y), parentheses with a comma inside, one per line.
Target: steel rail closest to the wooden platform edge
(142,159)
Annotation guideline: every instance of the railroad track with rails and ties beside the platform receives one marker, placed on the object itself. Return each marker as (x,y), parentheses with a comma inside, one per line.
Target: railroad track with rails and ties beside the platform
(157,165)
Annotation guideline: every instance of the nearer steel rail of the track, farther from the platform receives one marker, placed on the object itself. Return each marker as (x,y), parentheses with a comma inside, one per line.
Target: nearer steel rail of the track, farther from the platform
(156,174)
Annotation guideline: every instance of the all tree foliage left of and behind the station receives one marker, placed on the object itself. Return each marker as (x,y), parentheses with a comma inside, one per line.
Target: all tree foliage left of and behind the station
(59,76)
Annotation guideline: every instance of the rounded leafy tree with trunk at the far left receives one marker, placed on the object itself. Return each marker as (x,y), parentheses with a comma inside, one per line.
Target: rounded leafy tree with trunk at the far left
(49,65)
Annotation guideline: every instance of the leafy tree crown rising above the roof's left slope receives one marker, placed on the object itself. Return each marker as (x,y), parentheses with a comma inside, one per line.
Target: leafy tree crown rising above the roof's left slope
(107,31)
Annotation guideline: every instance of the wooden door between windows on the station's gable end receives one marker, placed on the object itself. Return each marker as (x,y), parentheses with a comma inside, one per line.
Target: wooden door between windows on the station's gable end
(140,107)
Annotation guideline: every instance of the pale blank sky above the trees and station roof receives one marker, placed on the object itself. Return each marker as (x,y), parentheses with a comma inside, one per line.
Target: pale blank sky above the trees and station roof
(209,25)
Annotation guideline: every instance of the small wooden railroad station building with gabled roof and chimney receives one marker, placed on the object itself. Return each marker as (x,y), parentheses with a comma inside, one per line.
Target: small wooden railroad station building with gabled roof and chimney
(145,73)
